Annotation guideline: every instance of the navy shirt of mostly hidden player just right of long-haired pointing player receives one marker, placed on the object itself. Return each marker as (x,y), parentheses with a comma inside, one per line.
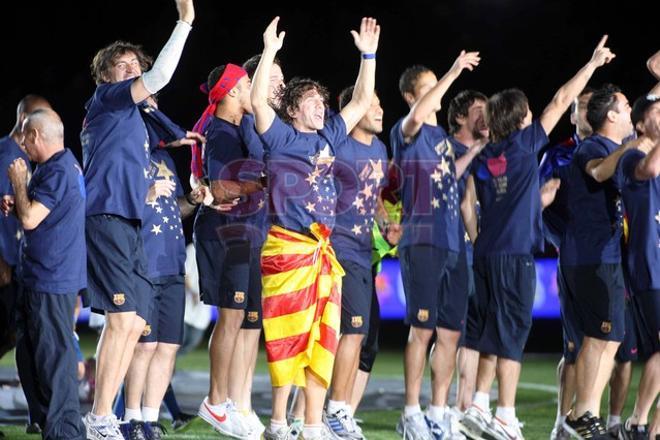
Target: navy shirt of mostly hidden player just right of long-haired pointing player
(556,163)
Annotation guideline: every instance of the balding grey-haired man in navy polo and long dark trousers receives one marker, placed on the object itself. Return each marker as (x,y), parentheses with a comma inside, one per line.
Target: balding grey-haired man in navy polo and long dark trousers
(53,269)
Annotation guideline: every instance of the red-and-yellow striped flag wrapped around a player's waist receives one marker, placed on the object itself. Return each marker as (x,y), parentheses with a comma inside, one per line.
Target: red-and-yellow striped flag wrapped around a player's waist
(301,298)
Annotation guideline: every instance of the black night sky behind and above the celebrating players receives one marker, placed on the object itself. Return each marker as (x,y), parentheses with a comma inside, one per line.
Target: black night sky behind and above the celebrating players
(531,44)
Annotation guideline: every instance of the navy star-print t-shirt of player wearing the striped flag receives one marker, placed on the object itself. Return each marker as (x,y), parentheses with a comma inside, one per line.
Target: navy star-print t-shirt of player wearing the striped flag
(300,167)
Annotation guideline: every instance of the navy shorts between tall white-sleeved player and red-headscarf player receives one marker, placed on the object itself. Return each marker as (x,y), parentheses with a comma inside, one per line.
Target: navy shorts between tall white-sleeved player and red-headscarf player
(165,323)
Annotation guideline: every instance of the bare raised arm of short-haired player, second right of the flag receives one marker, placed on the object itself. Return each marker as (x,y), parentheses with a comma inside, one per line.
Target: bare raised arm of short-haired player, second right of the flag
(430,102)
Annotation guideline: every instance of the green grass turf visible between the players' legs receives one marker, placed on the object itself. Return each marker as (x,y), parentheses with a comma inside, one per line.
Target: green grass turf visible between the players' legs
(536,408)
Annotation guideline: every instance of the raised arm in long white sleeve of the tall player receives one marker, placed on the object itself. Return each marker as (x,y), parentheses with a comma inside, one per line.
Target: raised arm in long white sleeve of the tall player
(161,72)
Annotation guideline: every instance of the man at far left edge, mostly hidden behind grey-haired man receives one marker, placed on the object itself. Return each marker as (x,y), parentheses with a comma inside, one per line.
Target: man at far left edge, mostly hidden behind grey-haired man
(10,231)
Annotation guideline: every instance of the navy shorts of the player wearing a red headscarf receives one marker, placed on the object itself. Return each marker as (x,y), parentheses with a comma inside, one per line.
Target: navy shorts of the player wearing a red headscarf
(224,272)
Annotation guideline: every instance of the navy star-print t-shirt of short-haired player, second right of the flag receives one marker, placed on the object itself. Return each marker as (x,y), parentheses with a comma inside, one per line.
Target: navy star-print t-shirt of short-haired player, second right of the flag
(429,192)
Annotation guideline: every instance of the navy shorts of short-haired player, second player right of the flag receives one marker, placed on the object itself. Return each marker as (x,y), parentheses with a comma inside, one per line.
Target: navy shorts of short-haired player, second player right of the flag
(429,302)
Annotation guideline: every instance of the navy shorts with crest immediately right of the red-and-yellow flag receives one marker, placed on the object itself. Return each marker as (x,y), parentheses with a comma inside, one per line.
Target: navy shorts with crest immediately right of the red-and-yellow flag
(356,292)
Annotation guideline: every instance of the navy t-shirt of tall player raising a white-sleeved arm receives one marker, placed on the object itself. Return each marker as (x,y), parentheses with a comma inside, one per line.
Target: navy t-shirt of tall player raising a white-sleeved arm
(115,153)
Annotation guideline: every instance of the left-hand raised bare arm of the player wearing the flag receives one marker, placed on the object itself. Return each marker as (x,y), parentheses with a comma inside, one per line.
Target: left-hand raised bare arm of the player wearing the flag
(263,112)
